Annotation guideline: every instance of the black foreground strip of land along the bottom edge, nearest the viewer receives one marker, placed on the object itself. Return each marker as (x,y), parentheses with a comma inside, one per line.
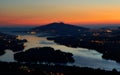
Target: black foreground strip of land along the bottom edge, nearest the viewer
(40,69)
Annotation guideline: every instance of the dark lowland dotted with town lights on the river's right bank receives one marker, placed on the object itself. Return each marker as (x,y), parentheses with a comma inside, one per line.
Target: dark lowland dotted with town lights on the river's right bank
(105,41)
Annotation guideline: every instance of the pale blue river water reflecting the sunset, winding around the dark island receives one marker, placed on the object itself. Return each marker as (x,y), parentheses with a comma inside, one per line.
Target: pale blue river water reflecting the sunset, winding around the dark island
(83,57)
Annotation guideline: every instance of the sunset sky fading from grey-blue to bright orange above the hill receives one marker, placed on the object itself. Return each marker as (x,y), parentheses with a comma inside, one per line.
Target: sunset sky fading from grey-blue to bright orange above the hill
(36,12)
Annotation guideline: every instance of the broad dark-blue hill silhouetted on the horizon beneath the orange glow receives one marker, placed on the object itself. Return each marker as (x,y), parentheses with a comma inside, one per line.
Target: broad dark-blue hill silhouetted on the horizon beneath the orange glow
(60,29)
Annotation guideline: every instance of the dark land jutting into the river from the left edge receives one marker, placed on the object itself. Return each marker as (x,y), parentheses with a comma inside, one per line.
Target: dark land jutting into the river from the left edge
(10,42)
